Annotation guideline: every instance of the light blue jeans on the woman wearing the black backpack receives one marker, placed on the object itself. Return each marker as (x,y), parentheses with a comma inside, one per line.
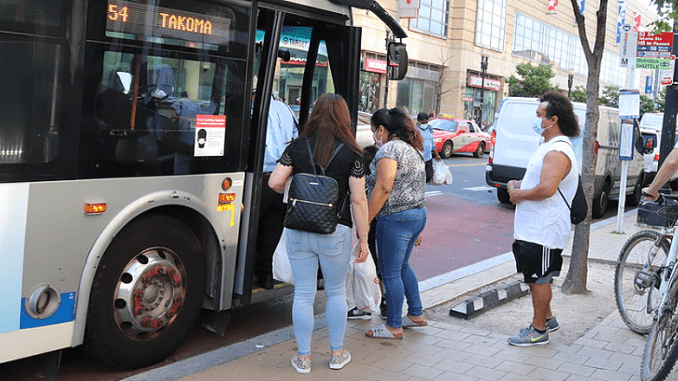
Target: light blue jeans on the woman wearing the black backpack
(332,251)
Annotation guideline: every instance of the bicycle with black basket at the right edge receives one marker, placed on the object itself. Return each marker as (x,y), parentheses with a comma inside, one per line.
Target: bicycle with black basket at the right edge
(646,287)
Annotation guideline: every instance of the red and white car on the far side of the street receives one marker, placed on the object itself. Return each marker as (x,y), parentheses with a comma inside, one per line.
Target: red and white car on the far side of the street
(459,135)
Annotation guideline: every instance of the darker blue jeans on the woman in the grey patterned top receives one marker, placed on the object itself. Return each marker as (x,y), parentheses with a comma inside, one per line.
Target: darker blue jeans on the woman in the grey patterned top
(396,235)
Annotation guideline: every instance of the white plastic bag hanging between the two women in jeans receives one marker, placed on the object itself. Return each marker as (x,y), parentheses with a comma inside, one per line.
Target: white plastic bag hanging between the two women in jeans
(362,284)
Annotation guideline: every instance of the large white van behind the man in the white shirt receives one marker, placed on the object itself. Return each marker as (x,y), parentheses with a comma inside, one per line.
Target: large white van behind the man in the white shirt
(515,142)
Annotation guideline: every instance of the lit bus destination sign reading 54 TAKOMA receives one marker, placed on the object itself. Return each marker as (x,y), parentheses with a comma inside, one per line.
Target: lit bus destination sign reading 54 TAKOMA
(150,21)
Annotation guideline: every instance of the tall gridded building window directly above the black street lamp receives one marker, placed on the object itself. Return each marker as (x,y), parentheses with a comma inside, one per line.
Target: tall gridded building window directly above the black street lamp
(491,24)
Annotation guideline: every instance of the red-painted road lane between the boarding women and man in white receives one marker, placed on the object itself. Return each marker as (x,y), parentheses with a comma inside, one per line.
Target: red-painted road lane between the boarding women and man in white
(459,233)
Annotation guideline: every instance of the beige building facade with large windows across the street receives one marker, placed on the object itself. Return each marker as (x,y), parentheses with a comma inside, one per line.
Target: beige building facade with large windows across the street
(461,52)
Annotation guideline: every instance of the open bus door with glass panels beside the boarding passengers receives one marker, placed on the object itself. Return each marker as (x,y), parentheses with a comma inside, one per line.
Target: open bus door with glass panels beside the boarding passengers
(298,57)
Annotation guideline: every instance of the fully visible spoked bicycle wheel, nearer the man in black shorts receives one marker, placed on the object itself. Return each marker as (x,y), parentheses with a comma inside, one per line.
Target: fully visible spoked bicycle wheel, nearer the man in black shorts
(631,285)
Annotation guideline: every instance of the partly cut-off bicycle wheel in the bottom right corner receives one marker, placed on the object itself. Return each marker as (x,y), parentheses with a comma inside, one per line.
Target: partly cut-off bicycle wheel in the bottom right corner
(661,347)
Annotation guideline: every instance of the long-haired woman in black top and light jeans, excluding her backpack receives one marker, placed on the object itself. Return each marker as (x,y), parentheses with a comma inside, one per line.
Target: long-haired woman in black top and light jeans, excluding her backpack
(328,127)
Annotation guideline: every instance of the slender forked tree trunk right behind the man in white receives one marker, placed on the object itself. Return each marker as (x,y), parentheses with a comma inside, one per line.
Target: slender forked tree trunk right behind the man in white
(575,280)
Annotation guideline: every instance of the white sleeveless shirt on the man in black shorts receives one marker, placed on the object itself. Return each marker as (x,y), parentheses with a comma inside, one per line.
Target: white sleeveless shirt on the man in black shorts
(547,222)
